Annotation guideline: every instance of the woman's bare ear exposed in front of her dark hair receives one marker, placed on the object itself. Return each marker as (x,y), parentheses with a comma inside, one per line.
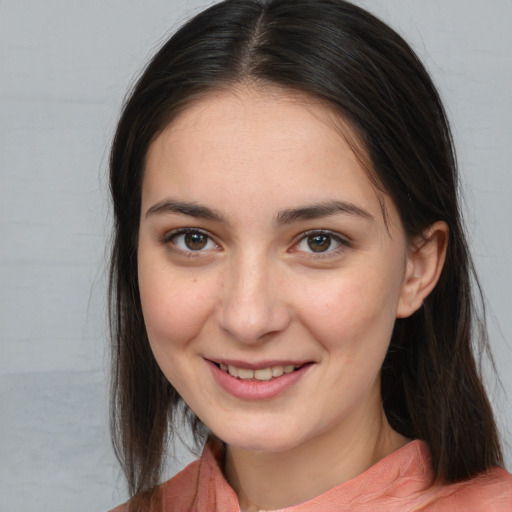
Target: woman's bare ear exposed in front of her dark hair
(425,262)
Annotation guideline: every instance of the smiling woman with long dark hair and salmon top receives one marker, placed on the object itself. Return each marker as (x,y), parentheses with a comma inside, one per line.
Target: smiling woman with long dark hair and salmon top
(289,271)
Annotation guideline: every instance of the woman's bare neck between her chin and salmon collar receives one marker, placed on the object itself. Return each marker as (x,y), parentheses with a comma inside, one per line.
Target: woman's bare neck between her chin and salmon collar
(269,481)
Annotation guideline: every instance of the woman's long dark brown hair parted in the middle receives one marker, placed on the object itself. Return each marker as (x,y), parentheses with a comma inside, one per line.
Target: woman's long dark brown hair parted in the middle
(338,53)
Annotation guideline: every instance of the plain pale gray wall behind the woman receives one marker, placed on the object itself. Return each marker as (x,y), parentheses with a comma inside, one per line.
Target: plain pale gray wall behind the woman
(64,68)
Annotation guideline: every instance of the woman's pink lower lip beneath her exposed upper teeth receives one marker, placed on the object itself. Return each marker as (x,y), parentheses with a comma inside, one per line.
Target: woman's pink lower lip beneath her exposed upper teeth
(255,389)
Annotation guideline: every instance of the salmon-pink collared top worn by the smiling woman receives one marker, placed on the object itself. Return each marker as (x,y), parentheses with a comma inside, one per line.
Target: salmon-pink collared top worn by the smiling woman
(400,483)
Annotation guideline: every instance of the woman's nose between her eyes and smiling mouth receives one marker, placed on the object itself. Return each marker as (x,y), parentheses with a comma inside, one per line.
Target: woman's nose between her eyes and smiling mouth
(252,306)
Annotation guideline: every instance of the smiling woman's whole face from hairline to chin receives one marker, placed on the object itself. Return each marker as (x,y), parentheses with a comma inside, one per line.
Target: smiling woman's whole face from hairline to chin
(269,280)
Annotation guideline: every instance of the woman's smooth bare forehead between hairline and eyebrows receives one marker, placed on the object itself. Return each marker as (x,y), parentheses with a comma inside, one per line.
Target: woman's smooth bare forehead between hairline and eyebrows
(267,146)
